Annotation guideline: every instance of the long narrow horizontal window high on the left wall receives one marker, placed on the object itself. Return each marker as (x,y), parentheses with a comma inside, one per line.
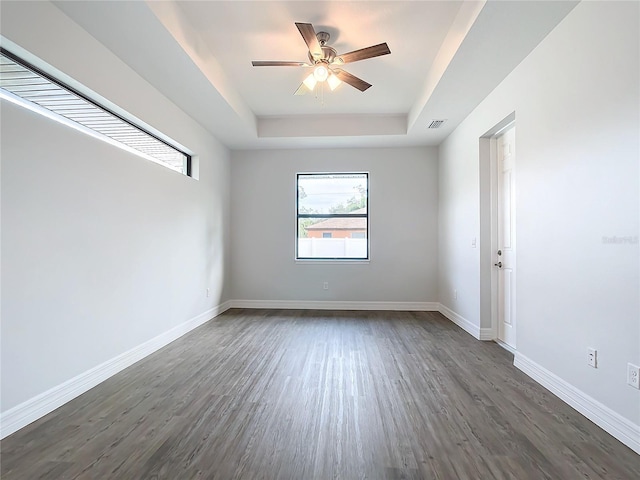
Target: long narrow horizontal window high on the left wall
(30,87)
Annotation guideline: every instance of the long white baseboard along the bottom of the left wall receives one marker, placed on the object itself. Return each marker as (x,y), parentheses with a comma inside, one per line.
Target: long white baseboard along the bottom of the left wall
(46,402)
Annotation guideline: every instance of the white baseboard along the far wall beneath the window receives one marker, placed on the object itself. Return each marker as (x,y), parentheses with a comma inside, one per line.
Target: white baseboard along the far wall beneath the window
(335,305)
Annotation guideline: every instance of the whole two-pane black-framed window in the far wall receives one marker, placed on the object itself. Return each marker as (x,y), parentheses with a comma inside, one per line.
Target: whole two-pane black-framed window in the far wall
(332,212)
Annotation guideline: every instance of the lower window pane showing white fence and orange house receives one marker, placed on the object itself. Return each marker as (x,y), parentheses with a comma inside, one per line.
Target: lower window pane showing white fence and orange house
(326,238)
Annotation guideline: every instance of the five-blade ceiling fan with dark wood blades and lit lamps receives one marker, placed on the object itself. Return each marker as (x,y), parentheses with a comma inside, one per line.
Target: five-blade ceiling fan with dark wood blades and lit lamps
(326,61)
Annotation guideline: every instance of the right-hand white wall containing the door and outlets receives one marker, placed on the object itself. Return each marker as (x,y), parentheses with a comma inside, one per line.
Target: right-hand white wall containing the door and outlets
(576,101)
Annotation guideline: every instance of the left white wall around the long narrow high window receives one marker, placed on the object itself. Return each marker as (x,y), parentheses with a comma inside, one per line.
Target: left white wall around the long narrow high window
(101,249)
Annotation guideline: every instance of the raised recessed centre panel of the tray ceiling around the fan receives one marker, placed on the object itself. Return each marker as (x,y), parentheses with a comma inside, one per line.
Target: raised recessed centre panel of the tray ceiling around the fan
(266,31)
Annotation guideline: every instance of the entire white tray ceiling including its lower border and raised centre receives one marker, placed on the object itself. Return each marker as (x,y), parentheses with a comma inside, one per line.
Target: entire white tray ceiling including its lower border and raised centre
(446,56)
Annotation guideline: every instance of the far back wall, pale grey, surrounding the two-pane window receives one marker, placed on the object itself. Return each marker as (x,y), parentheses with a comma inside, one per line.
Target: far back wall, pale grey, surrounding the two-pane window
(403,227)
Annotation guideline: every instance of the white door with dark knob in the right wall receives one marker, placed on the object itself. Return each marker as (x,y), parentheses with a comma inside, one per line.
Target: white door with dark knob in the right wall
(505,256)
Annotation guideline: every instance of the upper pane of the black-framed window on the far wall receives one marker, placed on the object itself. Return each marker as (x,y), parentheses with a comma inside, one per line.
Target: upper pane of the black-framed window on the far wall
(332,193)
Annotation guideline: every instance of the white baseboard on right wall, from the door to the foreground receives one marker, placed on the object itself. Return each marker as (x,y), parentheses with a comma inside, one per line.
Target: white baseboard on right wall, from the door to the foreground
(613,423)
